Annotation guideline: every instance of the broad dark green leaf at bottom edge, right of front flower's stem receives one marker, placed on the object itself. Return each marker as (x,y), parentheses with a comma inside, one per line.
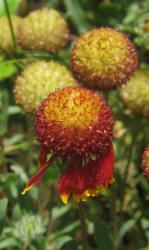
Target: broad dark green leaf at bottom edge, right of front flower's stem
(102,235)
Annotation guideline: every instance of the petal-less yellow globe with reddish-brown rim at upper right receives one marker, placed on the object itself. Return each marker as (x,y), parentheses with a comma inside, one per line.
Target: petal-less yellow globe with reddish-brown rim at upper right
(103,59)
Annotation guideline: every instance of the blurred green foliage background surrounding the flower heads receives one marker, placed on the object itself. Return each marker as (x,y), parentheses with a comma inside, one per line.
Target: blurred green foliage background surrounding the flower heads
(119,218)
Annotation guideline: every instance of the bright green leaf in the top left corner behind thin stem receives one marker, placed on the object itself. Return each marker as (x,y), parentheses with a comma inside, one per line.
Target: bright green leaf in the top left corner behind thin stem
(12,4)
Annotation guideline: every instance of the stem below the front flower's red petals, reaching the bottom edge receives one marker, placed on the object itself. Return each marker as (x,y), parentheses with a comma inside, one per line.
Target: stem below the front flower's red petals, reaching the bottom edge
(83,226)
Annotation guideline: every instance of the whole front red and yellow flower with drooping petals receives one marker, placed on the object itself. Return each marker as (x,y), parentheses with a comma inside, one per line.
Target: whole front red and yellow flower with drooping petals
(76,124)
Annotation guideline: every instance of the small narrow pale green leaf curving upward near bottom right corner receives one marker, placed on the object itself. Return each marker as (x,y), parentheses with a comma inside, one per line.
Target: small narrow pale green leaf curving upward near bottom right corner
(124,229)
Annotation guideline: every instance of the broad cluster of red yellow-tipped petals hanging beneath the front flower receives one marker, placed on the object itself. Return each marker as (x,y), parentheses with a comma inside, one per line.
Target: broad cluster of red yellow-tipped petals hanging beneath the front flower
(84,181)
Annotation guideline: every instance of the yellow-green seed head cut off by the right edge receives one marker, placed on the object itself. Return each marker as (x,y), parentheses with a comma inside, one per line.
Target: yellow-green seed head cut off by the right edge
(135,94)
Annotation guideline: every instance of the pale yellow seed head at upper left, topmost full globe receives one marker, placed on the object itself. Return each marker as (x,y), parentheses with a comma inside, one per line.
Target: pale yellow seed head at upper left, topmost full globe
(43,30)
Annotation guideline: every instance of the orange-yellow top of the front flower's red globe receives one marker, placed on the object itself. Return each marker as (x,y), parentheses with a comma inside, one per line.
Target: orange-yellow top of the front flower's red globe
(75,108)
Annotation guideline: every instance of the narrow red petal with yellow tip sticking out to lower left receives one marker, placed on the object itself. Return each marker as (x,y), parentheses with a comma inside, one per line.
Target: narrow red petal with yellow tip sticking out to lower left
(35,179)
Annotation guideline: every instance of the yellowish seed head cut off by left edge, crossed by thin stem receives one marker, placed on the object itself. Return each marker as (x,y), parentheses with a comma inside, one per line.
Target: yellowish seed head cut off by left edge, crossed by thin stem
(6,41)
